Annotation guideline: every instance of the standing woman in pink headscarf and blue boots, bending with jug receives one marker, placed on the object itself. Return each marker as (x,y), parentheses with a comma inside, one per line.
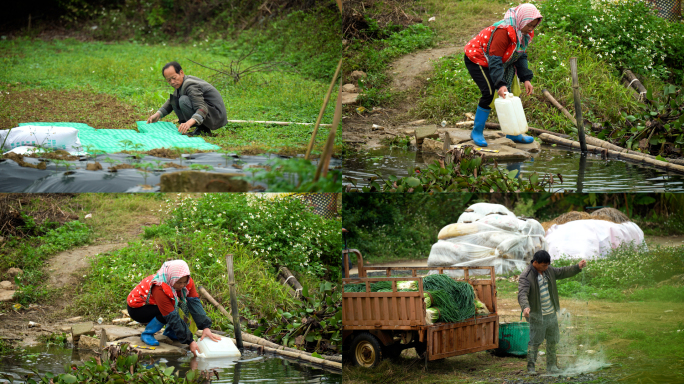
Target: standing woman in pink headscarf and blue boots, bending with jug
(493,58)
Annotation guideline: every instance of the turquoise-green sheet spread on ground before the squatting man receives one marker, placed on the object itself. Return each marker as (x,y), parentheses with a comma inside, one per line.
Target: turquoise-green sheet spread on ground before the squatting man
(157,135)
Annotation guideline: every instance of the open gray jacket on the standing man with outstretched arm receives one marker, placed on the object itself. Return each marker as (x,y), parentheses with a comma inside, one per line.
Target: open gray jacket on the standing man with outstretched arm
(528,288)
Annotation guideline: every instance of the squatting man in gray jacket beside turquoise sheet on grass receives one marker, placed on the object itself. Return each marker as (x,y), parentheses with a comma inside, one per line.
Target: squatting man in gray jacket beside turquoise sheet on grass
(194,101)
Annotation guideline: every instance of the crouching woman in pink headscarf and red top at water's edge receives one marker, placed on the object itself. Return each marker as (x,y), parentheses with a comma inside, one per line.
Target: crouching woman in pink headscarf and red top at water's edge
(168,298)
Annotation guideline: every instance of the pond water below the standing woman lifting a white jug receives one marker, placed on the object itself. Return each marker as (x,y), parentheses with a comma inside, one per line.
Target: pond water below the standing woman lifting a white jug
(588,174)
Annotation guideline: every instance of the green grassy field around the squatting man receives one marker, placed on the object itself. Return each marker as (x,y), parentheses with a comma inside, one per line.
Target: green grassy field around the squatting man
(114,84)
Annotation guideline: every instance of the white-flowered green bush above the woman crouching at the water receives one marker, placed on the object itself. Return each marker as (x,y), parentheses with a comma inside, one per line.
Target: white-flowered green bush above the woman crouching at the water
(284,231)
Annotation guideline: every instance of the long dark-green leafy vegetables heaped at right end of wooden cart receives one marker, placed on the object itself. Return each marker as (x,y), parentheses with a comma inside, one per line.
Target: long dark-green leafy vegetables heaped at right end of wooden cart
(456,300)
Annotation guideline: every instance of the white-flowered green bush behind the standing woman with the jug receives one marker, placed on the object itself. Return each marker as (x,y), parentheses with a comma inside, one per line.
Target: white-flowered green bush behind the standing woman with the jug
(627,33)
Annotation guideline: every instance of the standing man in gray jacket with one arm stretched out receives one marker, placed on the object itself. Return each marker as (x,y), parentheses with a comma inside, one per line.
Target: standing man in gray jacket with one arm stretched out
(538,298)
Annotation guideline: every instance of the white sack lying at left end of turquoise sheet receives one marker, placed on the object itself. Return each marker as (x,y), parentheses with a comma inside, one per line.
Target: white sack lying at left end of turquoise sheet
(64,138)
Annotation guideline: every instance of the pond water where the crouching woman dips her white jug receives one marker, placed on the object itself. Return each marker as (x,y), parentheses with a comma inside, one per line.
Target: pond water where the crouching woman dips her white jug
(250,368)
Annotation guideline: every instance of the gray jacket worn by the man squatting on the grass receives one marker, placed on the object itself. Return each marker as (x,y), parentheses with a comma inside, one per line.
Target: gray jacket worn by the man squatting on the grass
(211,110)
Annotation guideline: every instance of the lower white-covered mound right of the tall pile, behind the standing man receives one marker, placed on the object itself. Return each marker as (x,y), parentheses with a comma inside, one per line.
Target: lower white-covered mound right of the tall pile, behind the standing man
(582,239)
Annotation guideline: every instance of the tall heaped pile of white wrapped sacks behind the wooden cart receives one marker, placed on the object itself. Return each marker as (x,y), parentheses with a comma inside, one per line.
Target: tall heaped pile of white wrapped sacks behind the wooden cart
(497,238)
